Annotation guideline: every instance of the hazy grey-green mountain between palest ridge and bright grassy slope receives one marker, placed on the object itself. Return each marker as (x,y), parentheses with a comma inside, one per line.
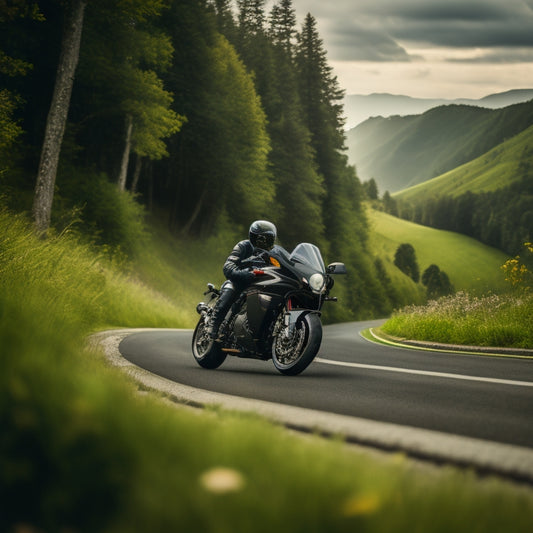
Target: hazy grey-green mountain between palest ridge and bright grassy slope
(399,152)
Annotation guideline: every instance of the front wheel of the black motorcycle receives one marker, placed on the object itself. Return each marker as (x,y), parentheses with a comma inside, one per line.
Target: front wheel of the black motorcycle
(293,353)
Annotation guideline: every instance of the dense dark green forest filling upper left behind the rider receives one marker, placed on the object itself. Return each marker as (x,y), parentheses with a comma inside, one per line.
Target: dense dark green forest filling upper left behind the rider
(206,114)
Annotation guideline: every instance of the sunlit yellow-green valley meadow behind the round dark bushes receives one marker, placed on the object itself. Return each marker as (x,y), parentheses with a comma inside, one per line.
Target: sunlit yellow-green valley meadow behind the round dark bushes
(470,265)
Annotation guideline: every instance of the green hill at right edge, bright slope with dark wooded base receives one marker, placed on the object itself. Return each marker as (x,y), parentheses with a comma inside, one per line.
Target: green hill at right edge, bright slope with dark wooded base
(489,198)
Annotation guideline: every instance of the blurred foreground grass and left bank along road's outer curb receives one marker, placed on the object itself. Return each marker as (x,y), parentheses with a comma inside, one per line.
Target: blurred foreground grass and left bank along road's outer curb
(82,450)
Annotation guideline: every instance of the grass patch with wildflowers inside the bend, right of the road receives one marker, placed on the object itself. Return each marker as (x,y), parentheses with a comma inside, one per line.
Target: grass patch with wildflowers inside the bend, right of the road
(496,320)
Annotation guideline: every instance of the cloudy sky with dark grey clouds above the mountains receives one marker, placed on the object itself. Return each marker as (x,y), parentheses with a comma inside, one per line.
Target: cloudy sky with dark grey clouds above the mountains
(426,48)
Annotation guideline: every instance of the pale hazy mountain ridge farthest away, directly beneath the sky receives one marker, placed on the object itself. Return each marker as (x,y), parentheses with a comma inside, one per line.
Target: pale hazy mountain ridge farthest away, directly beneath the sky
(359,108)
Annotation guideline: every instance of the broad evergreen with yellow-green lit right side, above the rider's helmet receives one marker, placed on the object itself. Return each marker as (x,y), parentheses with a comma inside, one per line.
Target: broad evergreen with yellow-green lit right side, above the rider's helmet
(218,160)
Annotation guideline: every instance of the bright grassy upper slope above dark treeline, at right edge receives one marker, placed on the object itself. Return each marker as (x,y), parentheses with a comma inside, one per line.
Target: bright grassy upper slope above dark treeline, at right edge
(497,169)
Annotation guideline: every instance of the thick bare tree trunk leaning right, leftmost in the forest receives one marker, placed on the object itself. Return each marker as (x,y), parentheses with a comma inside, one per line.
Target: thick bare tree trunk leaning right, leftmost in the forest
(57,116)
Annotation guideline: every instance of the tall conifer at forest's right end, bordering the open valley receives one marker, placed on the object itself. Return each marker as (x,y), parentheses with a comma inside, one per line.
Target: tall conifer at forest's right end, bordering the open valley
(345,222)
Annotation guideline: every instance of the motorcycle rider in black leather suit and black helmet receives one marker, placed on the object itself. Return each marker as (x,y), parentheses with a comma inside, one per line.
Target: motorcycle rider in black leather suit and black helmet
(262,234)
